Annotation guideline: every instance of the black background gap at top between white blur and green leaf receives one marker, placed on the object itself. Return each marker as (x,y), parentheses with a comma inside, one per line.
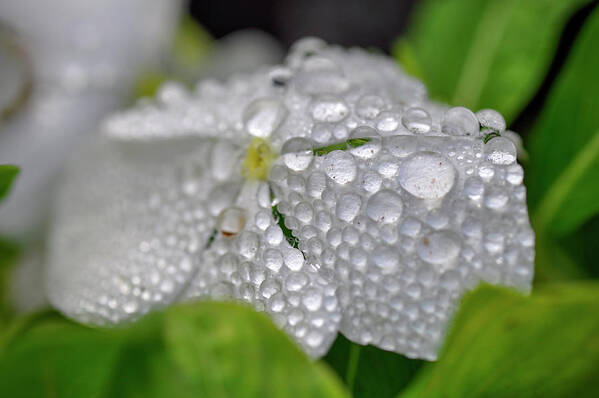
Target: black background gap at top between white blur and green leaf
(374,23)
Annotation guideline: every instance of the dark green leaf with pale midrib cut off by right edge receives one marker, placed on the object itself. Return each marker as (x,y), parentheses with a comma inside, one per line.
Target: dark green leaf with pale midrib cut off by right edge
(562,180)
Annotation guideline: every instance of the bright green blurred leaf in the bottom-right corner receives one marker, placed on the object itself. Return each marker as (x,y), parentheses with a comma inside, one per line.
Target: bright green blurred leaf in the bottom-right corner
(503,344)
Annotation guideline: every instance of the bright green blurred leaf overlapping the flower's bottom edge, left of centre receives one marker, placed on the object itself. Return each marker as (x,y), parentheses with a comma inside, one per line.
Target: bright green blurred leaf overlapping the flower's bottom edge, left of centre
(229,350)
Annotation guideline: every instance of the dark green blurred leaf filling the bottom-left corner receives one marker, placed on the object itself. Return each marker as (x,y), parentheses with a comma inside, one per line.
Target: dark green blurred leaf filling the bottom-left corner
(57,359)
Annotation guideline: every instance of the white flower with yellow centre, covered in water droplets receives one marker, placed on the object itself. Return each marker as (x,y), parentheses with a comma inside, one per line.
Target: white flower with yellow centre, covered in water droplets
(328,192)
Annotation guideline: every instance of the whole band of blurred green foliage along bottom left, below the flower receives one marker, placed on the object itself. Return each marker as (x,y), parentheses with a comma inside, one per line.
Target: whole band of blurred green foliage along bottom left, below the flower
(194,350)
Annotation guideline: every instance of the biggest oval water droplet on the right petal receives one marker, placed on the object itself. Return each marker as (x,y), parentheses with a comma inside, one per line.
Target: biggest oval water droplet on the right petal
(427,175)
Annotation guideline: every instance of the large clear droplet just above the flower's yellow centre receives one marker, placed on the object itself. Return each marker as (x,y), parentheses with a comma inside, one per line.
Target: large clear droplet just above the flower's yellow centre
(263,116)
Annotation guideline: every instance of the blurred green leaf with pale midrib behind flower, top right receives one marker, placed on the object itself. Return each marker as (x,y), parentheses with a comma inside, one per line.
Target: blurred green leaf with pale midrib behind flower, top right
(485,53)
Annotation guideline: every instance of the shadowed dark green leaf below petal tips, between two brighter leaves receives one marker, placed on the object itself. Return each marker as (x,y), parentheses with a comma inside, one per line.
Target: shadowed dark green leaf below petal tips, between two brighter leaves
(369,371)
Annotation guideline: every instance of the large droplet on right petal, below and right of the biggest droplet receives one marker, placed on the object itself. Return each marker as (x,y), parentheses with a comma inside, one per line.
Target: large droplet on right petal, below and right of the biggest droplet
(439,247)
